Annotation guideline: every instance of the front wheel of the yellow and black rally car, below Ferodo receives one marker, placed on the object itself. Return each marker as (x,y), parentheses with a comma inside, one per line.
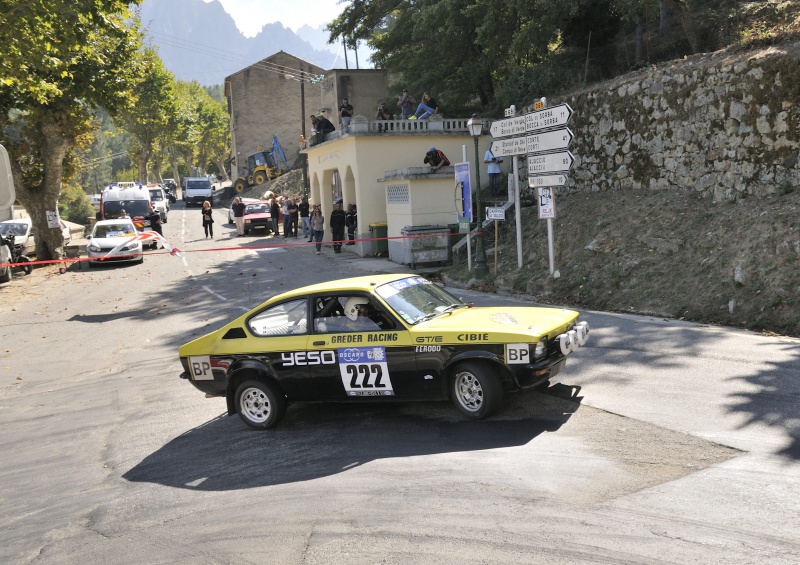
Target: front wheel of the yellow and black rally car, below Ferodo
(475,391)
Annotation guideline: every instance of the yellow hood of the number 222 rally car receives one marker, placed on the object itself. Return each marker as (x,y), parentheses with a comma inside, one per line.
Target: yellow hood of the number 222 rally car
(529,321)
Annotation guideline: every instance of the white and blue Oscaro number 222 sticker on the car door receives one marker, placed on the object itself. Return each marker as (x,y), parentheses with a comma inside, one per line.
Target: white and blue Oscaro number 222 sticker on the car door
(364,371)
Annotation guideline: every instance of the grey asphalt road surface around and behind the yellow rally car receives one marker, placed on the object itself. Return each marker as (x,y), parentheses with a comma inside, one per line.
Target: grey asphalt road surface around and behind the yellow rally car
(663,442)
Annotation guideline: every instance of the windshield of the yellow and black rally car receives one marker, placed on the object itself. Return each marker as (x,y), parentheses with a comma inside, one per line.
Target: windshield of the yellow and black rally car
(416,299)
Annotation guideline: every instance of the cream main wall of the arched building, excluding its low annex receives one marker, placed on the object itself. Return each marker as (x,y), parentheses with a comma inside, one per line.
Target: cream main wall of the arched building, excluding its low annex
(355,166)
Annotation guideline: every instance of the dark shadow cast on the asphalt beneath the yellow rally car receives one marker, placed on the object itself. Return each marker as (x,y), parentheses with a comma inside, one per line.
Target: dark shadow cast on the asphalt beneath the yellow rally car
(318,440)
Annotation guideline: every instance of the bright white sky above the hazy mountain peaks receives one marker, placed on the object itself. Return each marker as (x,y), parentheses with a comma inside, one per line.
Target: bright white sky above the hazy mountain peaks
(251,15)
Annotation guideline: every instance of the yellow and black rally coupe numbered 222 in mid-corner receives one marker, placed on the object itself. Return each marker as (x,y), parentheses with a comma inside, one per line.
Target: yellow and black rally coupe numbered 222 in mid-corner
(378,338)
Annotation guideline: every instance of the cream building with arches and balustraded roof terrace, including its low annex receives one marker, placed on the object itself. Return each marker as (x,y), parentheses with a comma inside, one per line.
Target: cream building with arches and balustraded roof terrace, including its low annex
(379,167)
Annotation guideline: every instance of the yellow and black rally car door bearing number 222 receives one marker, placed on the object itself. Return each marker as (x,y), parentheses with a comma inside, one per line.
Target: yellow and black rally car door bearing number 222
(374,355)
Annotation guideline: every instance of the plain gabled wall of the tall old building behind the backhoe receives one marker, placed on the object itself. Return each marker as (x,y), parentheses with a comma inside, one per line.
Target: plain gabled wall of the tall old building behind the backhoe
(264,100)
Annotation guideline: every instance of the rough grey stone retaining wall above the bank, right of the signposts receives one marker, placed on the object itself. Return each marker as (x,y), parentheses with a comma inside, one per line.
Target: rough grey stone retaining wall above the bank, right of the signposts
(724,125)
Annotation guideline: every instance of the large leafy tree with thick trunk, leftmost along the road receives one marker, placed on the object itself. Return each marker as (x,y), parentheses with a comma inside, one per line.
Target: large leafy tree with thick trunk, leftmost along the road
(60,62)
